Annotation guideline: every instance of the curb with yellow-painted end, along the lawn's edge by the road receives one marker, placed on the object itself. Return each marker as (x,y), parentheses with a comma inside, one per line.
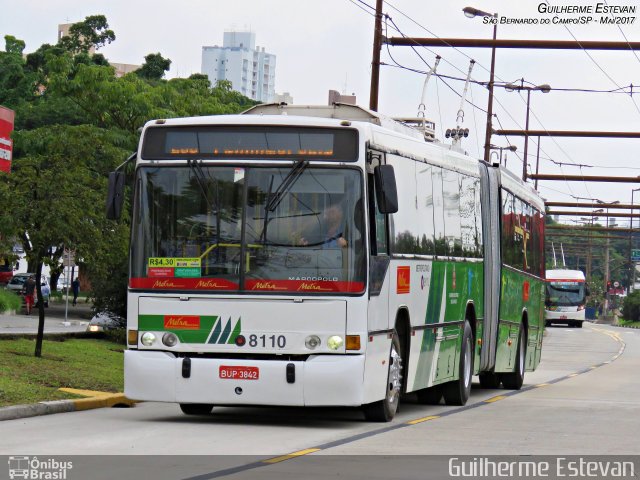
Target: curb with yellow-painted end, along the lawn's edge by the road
(62,406)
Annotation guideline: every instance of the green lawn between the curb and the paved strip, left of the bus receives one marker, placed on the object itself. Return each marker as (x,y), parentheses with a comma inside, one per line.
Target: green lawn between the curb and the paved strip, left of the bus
(89,364)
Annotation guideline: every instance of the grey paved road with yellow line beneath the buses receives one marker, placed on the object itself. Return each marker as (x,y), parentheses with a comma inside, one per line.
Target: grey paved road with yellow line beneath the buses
(583,399)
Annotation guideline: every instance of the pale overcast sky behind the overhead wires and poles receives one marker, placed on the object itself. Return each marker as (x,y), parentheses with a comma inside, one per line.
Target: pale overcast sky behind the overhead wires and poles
(327,45)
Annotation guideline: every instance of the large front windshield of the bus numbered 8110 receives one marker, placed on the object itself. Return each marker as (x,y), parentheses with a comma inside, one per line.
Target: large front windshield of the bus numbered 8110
(262,229)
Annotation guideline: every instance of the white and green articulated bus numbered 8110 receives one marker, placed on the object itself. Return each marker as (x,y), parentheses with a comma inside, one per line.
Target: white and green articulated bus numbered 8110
(325,256)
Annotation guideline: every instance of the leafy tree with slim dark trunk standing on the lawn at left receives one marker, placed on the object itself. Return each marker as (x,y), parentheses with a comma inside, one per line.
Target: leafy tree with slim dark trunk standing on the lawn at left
(55,193)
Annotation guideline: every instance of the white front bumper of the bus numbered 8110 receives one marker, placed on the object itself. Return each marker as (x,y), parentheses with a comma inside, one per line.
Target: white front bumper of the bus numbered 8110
(322,380)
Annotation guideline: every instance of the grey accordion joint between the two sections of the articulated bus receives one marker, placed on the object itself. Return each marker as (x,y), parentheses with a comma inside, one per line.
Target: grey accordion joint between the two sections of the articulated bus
(490,201)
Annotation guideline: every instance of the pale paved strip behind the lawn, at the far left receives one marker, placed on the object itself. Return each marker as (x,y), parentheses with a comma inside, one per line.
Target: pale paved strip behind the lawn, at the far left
(19,323)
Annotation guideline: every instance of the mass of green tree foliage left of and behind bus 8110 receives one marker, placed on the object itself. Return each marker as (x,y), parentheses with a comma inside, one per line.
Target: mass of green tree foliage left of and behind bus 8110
(76,121)
